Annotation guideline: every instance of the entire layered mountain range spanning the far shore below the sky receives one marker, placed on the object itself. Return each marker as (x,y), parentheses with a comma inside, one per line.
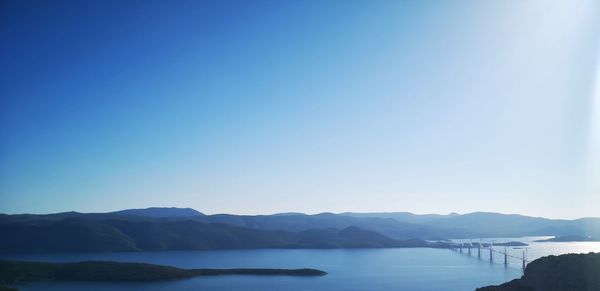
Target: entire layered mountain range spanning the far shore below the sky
(188,229)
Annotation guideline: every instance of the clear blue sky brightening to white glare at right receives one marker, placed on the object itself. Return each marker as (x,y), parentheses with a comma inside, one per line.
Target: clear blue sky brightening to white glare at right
(258,107)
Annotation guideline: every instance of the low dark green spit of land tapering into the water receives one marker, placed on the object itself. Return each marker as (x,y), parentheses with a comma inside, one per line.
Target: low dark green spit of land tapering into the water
(19,271)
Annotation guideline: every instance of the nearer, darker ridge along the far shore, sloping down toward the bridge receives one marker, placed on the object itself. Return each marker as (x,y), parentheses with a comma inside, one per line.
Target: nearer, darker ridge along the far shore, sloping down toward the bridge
(82,234)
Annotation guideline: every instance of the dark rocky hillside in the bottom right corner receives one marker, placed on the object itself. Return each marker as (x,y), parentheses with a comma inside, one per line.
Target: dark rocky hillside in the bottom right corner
(580,272)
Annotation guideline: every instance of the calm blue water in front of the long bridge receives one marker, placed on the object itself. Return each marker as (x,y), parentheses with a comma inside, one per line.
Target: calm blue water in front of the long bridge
(349,269)
